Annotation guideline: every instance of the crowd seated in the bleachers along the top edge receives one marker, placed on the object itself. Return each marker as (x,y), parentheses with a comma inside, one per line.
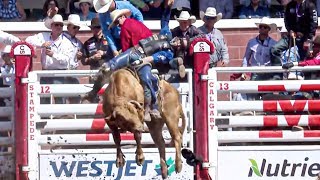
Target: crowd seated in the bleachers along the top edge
(14,10)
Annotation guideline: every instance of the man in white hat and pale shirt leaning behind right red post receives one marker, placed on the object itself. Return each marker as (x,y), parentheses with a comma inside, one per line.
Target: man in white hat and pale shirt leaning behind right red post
(215,36)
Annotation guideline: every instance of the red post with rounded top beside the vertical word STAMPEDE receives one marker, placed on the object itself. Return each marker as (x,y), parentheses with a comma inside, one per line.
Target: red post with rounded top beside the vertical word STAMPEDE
(22,52)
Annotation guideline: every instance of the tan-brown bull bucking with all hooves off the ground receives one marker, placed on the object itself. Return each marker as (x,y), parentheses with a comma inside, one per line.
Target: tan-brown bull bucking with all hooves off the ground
(123,107)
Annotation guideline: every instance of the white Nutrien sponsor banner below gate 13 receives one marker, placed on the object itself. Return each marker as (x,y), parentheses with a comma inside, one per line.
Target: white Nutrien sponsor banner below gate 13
(256,165)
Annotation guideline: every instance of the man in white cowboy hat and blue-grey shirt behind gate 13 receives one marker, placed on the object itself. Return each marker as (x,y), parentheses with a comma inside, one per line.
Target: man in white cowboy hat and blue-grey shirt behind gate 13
(258,49)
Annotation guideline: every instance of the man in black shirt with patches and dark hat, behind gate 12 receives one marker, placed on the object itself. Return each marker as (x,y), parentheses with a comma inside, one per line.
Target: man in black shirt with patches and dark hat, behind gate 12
(95,50)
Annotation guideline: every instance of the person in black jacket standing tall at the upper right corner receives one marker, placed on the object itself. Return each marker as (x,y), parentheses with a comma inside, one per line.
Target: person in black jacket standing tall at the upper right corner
(301,21)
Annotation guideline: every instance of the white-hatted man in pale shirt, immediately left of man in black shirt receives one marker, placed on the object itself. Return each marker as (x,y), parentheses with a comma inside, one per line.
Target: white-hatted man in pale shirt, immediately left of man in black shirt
(73,26)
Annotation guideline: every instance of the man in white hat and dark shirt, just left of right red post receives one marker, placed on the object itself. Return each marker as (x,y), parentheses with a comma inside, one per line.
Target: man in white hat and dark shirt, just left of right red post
(184,30)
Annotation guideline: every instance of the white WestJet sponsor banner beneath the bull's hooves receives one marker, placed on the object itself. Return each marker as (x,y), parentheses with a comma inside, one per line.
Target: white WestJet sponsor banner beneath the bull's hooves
(102,166)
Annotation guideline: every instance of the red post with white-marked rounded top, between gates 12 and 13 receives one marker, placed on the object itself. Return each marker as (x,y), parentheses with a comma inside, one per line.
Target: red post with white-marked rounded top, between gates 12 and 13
(201,49)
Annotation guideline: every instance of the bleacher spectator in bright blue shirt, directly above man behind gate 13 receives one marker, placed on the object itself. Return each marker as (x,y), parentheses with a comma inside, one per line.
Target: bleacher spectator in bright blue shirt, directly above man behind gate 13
(254,10)
